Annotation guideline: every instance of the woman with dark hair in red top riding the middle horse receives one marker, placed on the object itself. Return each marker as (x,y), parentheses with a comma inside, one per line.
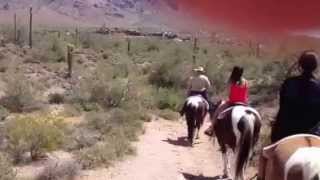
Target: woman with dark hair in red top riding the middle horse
(238,94)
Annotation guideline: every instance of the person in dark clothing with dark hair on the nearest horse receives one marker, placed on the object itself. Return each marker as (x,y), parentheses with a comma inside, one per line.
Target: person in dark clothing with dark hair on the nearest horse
(299,101)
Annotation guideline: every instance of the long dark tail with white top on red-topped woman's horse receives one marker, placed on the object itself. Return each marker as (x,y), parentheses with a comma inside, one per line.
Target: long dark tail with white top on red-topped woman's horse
(246,128)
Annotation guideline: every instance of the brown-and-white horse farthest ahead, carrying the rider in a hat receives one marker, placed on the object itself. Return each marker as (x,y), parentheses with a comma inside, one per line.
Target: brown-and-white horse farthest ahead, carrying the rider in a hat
(195,108)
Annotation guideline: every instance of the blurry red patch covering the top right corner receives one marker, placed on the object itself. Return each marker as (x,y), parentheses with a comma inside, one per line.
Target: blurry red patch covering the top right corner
(271,16)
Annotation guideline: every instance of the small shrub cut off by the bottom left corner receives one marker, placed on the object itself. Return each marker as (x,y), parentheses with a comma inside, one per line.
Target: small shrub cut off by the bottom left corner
(6,170)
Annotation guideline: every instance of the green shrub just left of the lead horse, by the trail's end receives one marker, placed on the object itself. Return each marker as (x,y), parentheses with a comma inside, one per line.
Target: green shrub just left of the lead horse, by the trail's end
(168,99)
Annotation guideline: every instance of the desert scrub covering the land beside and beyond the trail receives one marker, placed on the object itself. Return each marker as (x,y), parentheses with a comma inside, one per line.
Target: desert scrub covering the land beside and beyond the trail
(97,112)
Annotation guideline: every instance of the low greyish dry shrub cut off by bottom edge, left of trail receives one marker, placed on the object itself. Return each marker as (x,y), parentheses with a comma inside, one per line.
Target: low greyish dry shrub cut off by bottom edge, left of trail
(59,171)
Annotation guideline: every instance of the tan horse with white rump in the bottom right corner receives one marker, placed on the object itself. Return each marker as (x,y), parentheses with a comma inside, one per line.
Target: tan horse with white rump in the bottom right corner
(295,157)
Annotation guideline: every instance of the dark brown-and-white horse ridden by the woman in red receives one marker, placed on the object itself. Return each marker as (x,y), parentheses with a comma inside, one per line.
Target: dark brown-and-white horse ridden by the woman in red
(238,128)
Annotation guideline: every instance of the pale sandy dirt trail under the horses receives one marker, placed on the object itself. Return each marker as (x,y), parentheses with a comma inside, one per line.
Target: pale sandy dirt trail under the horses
(164,154)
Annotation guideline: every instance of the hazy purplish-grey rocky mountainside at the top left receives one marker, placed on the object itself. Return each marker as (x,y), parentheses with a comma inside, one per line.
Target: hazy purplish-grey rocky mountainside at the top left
(93,12)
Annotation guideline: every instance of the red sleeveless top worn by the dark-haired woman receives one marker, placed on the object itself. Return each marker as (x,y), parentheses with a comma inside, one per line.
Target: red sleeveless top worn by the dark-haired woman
(239,93)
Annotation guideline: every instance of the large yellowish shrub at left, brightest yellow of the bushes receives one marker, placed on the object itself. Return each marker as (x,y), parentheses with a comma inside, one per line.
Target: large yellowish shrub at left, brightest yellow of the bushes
(34,134)
